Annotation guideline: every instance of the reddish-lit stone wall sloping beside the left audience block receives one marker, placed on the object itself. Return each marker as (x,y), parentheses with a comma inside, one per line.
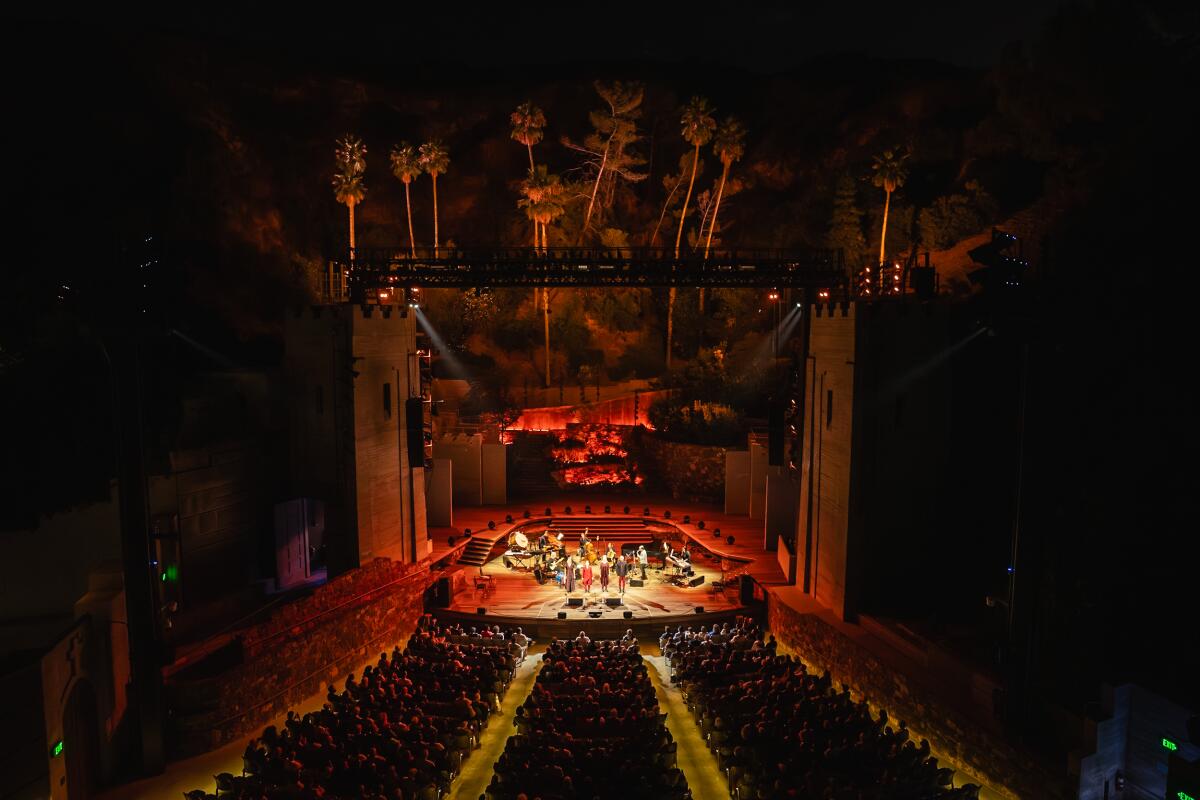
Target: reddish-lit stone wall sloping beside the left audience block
(304,648)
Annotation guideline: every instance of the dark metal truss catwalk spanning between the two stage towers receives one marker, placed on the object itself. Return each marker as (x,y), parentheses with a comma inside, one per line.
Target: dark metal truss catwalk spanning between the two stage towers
(369,273)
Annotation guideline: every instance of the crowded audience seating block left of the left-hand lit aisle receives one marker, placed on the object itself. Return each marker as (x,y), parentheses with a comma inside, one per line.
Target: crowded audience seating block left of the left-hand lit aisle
(400,731)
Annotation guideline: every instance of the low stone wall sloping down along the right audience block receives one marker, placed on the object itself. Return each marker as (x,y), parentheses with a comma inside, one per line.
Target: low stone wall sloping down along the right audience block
(957,741)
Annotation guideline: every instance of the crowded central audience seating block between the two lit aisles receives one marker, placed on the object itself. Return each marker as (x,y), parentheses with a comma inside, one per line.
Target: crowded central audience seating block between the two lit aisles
(591,729)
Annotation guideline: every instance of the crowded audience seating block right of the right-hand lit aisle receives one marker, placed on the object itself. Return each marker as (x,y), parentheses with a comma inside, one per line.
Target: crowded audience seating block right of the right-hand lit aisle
(779,731)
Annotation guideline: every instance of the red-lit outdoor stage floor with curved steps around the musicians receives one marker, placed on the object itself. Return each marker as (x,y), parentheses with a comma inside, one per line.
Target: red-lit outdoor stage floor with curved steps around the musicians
(489,588)
